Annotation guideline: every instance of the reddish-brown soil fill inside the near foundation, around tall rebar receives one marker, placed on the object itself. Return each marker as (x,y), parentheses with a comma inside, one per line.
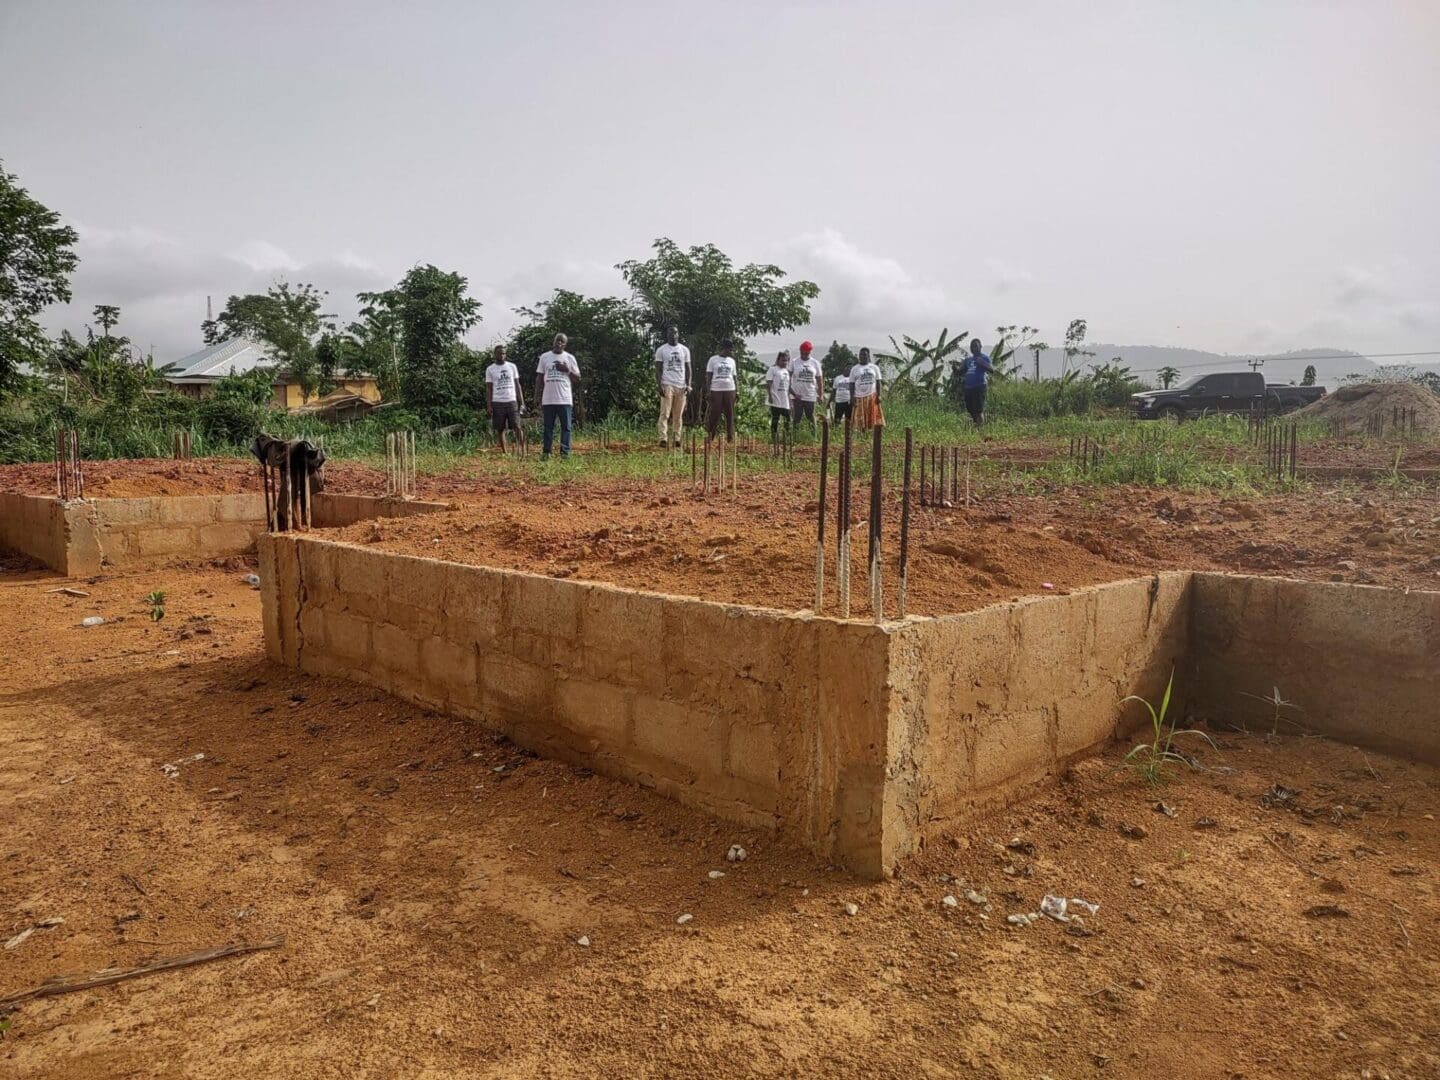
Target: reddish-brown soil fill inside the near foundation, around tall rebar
(760,546)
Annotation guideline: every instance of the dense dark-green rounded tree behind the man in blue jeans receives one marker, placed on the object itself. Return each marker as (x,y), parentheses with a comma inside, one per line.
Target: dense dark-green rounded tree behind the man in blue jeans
(608,339)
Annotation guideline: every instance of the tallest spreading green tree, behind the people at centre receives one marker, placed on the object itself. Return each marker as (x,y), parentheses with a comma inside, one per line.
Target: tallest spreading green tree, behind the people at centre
(711,300)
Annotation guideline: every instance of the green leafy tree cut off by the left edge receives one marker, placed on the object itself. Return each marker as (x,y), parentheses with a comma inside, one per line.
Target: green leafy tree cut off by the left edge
(37,261)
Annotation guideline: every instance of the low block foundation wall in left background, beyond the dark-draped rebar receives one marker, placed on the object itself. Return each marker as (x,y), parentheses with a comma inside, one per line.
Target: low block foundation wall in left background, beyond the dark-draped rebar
(84,538)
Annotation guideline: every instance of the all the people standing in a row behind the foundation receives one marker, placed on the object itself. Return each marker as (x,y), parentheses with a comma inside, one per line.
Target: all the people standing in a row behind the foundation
(793,390)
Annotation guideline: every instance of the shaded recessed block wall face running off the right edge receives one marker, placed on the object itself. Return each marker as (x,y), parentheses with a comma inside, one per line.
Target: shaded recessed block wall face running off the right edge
(1359,663)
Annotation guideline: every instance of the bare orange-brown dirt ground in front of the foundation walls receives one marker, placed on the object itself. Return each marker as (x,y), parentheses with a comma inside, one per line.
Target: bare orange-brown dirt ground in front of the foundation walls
(433,886)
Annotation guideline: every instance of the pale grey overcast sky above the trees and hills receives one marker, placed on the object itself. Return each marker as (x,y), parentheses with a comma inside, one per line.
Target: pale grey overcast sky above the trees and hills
(1232,176)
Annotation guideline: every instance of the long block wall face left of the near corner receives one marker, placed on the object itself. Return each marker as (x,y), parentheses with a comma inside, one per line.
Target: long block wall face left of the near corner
(696,701)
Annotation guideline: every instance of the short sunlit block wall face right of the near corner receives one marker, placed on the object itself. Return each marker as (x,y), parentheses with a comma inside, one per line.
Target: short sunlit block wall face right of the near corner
(989,703)
